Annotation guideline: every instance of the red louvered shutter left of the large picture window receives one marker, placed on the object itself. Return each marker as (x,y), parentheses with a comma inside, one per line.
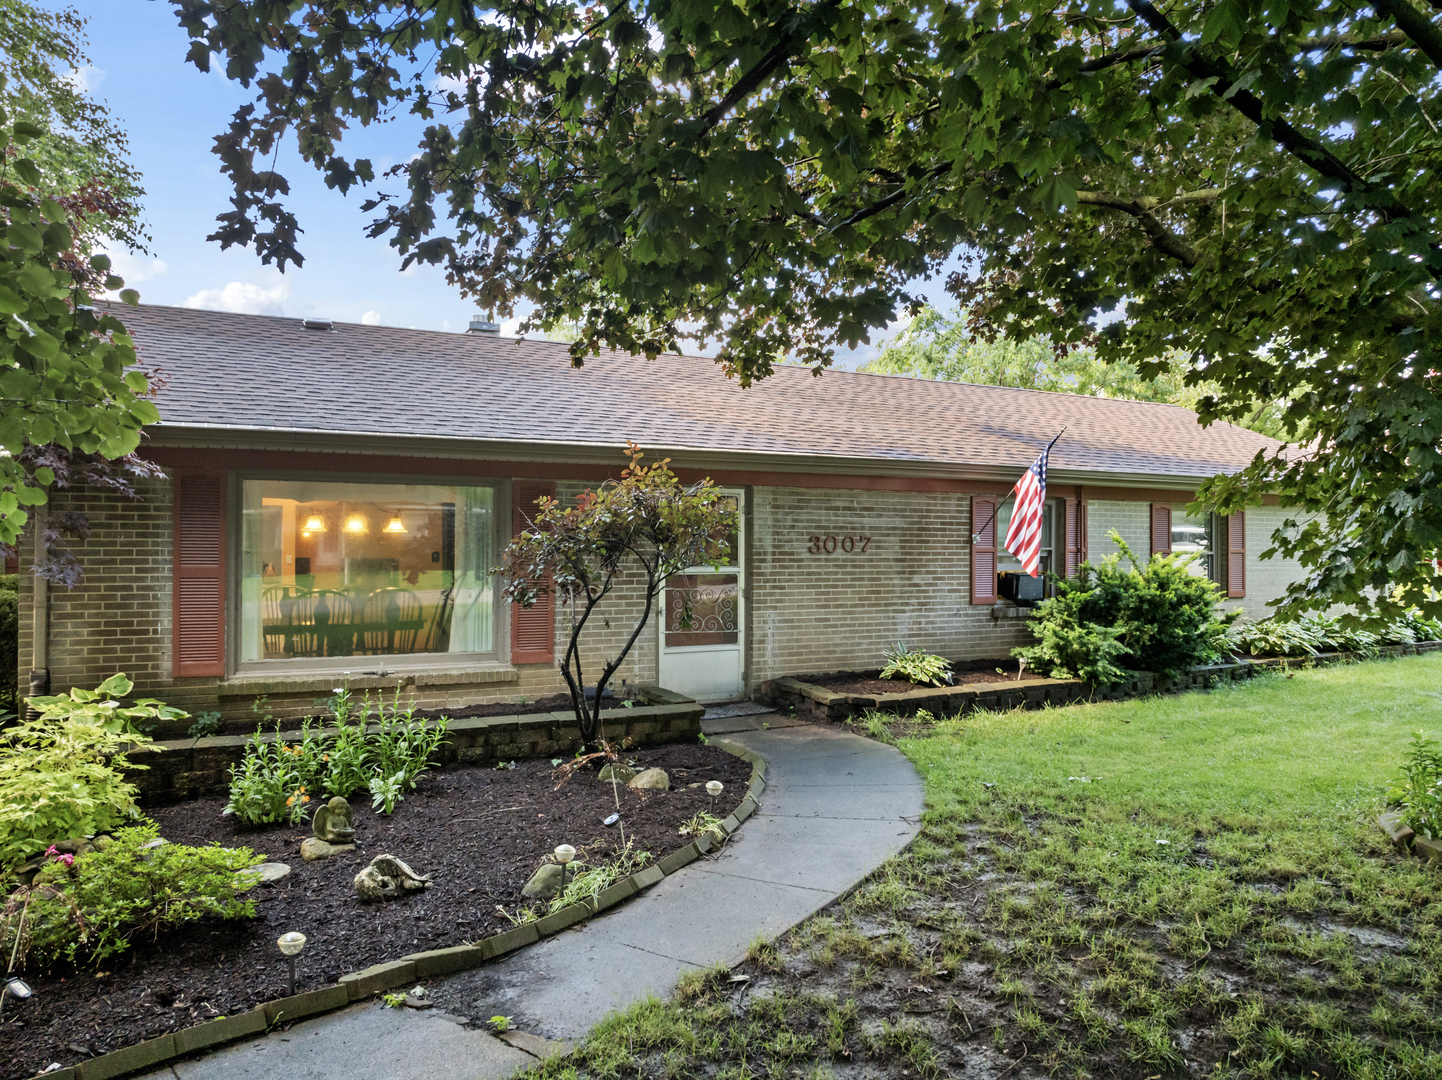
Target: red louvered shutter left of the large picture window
(200,576)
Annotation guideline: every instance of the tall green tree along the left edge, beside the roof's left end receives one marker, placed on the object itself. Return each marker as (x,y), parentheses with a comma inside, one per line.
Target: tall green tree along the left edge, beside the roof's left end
(73,394)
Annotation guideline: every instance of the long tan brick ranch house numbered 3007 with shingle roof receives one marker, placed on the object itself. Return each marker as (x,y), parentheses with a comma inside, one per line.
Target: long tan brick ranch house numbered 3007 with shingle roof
(337,495)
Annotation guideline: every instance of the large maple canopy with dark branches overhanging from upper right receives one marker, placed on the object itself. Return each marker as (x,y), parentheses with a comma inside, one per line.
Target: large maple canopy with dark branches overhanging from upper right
(1251,185)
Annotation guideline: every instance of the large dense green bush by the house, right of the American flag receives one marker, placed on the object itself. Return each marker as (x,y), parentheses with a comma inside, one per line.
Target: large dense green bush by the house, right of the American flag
(1156,616)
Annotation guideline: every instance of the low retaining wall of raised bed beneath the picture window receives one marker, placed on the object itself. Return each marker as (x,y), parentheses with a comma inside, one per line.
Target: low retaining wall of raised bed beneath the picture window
(190,768)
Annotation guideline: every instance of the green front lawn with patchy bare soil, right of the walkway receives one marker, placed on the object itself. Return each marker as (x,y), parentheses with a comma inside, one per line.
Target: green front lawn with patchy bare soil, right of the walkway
(1190,885)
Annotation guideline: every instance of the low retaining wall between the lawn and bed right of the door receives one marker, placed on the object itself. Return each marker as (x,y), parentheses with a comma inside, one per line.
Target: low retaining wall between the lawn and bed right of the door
(820,704)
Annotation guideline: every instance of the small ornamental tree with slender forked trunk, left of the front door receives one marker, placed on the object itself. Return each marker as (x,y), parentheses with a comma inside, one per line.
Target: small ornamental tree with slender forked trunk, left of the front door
(645,520)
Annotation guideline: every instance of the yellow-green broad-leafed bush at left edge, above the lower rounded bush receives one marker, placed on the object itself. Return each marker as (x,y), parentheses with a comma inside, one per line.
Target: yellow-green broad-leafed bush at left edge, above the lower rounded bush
(57,774)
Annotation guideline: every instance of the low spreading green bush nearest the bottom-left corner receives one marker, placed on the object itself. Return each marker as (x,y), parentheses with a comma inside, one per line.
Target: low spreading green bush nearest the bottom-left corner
(93,908)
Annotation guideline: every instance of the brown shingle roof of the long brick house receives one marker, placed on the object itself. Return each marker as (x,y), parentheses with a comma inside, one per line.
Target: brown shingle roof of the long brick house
(257,373)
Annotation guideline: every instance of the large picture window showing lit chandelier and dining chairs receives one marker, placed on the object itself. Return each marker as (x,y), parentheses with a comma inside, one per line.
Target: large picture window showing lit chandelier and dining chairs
(337,570)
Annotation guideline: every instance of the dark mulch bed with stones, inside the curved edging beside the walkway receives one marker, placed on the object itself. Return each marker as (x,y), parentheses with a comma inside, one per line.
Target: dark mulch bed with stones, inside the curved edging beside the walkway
(478,831)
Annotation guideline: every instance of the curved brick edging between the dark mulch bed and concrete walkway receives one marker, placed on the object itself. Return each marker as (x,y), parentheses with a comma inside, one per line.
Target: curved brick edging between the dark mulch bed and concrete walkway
(410,970)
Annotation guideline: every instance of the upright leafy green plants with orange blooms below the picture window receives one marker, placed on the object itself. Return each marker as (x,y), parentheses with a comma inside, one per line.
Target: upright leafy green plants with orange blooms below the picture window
(275,779)
